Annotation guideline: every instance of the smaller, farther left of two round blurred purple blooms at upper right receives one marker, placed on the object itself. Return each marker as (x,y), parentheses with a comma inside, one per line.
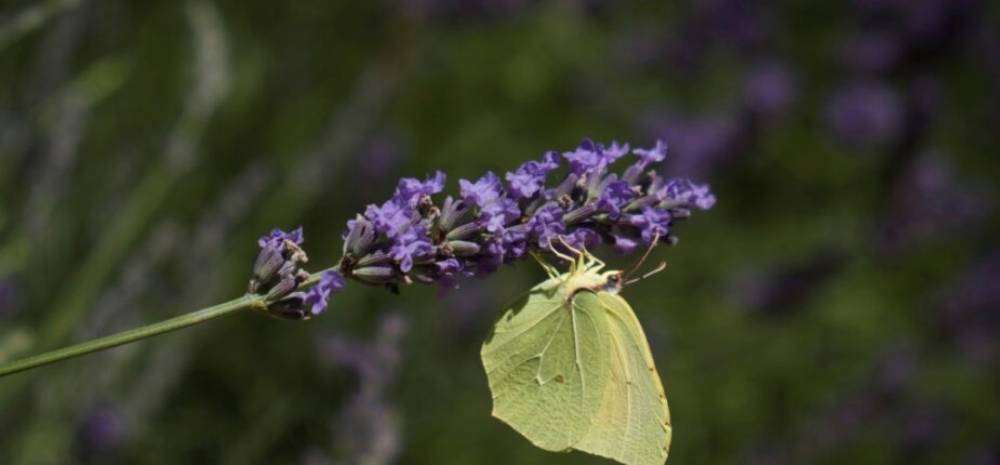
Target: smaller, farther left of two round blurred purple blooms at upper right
(770,89)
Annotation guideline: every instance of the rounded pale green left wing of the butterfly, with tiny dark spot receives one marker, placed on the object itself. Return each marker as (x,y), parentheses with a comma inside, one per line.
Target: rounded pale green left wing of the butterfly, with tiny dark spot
(547,367)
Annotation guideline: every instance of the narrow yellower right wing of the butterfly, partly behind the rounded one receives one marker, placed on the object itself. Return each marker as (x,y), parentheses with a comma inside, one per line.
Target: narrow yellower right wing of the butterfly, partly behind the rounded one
(632,425)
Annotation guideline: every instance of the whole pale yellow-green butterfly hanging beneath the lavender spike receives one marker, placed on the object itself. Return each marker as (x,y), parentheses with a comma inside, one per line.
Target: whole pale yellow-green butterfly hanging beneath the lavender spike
(569,368)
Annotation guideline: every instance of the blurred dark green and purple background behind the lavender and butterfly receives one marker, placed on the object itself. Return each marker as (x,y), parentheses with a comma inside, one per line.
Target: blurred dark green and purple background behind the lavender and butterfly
(840,304)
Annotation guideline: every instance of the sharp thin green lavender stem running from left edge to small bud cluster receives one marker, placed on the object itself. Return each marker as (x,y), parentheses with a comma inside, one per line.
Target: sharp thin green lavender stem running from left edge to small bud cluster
(132,335)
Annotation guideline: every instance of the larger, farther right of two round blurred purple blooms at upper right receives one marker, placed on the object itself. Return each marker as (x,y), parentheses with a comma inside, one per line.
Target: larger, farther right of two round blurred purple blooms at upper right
(865,114)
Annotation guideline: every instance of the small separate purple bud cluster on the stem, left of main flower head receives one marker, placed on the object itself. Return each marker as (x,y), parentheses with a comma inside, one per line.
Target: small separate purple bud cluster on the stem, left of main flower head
(278,275)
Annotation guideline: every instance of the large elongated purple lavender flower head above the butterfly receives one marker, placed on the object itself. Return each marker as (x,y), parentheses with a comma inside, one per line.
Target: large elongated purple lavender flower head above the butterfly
(495,221)
